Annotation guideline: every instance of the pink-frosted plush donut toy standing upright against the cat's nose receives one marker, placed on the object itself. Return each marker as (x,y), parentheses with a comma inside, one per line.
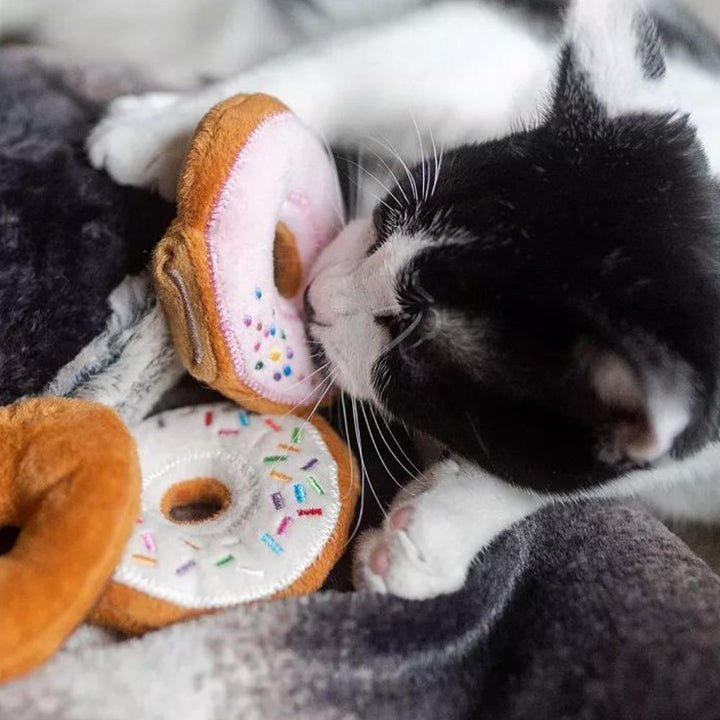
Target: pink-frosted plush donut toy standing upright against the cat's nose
(258,199)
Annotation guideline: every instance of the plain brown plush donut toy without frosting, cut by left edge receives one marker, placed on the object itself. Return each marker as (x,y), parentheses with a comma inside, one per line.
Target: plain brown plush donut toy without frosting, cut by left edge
(69,491)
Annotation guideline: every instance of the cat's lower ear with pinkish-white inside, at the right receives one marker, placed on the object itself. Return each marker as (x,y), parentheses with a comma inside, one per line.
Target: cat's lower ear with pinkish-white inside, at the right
(644,400)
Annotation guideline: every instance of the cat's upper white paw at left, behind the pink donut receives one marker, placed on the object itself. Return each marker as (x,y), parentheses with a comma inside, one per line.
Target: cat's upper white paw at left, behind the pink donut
(142,140)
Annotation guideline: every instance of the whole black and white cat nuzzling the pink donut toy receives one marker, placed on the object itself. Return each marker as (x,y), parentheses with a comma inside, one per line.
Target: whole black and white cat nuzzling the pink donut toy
(542,295)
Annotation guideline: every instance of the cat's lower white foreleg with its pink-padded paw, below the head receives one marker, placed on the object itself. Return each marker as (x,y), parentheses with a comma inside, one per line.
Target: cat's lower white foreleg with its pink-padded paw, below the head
(436,527)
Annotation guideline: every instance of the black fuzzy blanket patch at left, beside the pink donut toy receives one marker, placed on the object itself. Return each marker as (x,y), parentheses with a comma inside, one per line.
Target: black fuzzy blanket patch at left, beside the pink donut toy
(68,234)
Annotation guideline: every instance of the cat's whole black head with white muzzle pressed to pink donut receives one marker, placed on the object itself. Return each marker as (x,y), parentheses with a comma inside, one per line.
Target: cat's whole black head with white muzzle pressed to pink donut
(547,304)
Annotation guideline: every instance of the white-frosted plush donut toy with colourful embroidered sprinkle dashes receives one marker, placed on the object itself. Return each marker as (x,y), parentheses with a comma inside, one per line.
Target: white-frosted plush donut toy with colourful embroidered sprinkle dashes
(235,507)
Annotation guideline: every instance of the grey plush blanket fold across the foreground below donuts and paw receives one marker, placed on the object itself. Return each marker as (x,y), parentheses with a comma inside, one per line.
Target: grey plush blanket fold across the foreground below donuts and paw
(588,612)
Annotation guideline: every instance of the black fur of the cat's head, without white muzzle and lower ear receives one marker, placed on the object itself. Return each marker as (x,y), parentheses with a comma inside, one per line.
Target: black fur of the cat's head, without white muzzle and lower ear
(586,231)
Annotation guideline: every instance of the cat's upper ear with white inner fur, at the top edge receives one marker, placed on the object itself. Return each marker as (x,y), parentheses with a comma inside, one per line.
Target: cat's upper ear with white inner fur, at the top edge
(612,62)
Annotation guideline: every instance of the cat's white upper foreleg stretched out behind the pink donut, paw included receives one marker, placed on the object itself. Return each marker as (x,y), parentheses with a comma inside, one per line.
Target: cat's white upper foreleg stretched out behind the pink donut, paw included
(436,68)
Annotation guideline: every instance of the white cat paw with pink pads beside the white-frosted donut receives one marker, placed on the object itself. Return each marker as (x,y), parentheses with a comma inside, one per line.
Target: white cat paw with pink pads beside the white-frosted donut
(415,555)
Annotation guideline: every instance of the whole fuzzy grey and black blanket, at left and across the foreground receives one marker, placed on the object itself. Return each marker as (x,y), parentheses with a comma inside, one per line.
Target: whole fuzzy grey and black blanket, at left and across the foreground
(593,611)
